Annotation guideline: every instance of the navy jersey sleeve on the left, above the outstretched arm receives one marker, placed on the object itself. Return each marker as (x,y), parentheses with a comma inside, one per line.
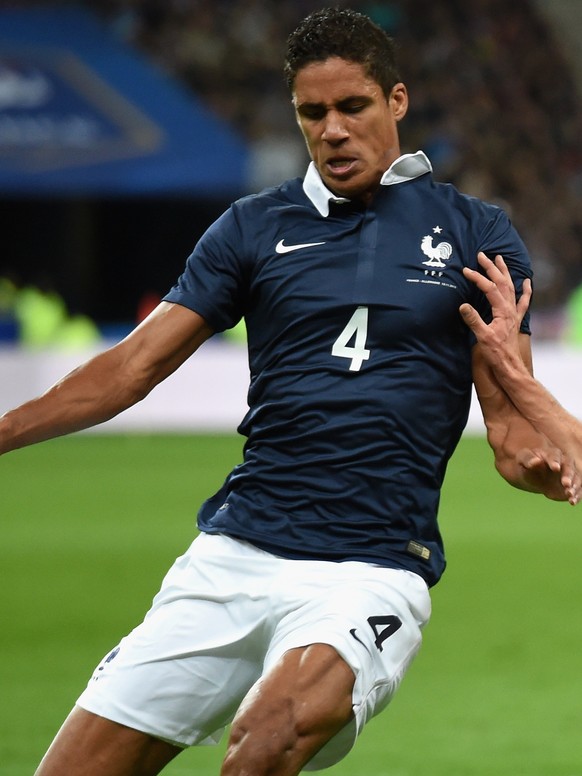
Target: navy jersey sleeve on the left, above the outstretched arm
(213,283)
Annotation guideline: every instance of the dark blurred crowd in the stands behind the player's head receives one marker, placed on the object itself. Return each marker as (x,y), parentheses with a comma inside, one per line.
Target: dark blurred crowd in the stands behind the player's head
(494,102)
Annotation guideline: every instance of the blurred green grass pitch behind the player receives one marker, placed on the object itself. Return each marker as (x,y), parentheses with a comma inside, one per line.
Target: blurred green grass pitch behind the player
(90,524)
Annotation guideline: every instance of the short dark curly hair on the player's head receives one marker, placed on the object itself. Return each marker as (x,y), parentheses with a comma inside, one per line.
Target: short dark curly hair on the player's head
(336,32)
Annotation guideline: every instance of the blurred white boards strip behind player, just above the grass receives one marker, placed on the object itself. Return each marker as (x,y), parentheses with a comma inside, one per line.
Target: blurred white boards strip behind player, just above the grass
(208,393)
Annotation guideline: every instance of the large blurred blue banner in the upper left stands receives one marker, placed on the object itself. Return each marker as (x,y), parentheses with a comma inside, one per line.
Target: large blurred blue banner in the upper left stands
(82,114)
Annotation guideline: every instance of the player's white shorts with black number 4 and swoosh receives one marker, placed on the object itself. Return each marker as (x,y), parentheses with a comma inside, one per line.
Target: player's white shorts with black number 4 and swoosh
(228,611)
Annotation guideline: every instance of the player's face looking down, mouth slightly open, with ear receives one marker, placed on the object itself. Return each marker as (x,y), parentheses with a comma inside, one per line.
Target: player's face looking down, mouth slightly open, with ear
(349,125)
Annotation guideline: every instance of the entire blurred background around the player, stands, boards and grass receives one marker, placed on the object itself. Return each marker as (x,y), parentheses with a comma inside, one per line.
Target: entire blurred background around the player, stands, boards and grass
(126,127)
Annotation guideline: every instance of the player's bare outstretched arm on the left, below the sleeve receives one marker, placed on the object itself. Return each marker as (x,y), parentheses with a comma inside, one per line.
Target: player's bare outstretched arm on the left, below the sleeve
(110,382)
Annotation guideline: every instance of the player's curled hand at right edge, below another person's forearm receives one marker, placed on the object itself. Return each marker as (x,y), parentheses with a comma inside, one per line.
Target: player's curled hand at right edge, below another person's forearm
(552,473)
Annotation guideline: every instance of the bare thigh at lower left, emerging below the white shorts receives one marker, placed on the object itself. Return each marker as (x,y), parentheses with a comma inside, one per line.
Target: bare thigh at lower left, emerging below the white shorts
(89,745)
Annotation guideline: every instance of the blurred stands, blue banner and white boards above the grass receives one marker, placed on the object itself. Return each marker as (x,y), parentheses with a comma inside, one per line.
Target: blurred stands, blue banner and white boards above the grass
(127,126)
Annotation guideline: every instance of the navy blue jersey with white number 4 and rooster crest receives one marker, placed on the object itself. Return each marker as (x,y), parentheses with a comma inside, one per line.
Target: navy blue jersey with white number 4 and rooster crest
(360,364)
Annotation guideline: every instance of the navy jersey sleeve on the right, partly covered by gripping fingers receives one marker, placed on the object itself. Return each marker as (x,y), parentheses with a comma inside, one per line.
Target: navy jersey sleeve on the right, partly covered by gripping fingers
(500,237)
